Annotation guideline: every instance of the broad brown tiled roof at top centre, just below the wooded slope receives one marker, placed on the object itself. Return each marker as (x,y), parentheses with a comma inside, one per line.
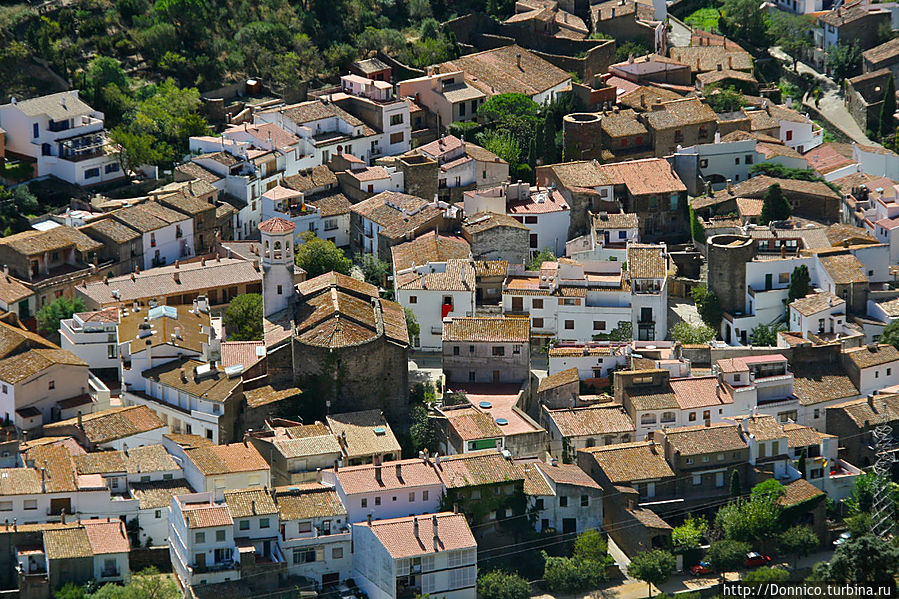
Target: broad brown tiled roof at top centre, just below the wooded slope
(496,71)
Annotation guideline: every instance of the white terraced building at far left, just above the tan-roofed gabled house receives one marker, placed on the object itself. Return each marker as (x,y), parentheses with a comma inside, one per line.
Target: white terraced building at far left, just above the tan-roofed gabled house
(93,337)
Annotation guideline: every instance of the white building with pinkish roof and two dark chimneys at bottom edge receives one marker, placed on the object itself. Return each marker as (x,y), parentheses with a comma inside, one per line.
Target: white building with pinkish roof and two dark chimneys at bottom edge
(435,554)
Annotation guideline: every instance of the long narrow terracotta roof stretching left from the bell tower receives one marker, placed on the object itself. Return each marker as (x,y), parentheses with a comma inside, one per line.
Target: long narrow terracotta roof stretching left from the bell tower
(193,277)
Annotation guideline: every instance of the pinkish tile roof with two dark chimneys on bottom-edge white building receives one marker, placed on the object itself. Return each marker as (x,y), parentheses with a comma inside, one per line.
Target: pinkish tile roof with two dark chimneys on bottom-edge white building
(397,535)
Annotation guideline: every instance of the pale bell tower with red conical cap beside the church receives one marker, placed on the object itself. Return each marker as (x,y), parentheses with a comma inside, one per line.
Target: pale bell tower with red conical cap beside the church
(277,264)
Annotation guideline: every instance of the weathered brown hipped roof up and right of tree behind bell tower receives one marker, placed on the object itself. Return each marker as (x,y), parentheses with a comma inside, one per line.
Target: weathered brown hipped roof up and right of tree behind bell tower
(398,213)
